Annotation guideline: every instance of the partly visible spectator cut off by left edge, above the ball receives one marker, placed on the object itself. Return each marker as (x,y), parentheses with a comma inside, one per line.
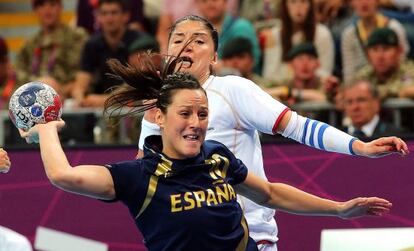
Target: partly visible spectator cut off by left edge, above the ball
(7,76)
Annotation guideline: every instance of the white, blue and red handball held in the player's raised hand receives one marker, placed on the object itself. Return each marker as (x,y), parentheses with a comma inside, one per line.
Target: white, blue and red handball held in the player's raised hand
(34,103)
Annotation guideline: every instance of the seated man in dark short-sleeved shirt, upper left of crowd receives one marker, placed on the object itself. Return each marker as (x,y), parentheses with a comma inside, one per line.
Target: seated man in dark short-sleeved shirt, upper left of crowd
(111,42)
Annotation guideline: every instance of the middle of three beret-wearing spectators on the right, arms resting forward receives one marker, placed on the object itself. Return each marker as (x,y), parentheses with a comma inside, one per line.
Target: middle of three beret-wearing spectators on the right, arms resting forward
(306,85)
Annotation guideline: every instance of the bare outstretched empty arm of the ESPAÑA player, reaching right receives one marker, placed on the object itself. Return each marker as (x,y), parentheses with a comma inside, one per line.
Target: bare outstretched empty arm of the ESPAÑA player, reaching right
(292,200)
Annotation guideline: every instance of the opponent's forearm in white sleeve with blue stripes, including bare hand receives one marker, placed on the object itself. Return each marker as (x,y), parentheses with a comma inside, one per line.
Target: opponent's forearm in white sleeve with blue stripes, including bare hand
(325,137)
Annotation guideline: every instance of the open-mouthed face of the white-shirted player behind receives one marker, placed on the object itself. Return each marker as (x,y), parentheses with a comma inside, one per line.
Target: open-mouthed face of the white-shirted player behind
(200,52)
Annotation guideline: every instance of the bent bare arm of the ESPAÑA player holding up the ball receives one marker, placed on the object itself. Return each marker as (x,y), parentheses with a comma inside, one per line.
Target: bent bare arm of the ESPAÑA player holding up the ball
(89,180)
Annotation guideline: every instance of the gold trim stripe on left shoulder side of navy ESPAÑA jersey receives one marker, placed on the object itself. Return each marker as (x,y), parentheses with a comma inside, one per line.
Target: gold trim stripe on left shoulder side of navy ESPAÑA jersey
(163,169)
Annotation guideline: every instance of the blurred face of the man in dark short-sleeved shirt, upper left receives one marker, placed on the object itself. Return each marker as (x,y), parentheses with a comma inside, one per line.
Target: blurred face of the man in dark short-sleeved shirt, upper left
(111,18)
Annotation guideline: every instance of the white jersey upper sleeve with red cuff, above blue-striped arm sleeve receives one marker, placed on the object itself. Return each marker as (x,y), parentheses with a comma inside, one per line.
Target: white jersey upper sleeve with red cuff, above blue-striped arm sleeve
(255,108)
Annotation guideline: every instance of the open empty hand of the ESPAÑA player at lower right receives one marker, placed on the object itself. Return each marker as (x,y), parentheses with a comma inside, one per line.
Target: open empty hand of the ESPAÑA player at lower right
(359,207)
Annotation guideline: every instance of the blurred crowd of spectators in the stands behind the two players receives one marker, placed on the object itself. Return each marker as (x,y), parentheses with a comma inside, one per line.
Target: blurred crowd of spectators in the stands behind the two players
(353,54)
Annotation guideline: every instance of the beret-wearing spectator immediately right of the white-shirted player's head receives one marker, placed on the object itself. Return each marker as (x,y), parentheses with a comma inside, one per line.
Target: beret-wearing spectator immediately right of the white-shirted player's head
(237,54)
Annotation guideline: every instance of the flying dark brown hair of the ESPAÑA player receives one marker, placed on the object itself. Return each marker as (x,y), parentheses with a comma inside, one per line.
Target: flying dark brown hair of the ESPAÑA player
(147,85)
